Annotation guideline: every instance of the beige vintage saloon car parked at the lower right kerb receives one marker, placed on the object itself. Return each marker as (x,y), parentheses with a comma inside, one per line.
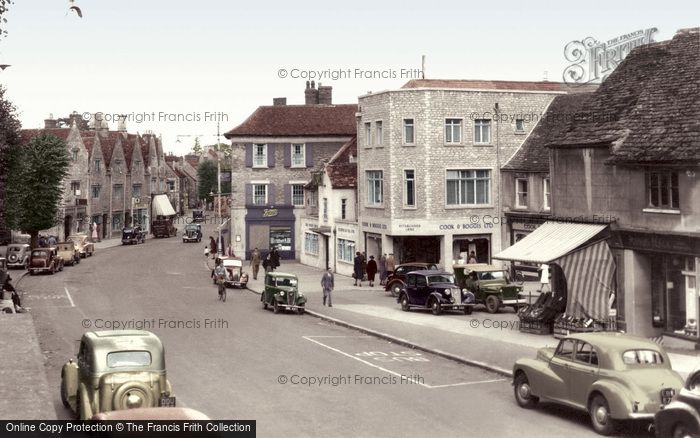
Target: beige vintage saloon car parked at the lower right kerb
(612,376)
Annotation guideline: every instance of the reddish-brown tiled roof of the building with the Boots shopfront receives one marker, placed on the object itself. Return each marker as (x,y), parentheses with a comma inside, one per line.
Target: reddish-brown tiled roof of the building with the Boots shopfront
(298,120)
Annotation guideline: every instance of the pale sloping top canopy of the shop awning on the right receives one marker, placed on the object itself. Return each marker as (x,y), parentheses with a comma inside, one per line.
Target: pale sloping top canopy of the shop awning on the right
(550,241)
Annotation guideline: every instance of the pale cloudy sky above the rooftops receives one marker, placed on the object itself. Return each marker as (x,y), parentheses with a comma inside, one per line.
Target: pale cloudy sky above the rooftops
(176,68)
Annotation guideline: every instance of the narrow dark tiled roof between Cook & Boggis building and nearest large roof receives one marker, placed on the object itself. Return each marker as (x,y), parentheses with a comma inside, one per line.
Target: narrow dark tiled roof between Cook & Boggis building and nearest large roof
(533,155)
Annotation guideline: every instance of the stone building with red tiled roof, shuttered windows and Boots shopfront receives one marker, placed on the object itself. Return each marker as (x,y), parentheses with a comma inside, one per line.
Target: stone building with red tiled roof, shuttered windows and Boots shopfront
(273,154)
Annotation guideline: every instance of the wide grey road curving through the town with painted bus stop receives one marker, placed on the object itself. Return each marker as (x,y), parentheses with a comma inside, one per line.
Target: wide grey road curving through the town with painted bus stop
(293,374)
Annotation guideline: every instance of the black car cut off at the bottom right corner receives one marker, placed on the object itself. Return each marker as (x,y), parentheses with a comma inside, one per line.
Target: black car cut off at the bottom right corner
(681,417)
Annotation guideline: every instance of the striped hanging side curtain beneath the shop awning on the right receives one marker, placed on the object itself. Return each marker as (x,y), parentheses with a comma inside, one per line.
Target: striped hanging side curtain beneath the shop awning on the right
(589,276)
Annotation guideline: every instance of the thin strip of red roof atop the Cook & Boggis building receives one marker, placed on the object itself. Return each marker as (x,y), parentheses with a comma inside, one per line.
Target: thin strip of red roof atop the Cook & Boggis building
(477,84)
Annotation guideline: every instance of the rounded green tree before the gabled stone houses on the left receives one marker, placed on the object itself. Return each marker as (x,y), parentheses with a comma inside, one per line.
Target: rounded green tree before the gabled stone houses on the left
(35,174)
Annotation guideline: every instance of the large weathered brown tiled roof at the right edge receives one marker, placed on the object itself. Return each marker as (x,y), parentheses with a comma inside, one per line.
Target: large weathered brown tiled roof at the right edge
(648,109)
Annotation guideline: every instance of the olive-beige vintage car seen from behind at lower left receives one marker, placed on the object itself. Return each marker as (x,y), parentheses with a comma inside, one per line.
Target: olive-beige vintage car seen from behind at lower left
(114,370)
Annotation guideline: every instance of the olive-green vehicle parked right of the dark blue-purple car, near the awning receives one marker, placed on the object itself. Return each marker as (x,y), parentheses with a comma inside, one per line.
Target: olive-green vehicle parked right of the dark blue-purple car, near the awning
(491,286)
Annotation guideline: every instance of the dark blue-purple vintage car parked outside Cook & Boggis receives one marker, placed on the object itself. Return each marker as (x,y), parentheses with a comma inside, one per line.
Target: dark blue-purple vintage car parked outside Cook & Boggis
(434,290)
